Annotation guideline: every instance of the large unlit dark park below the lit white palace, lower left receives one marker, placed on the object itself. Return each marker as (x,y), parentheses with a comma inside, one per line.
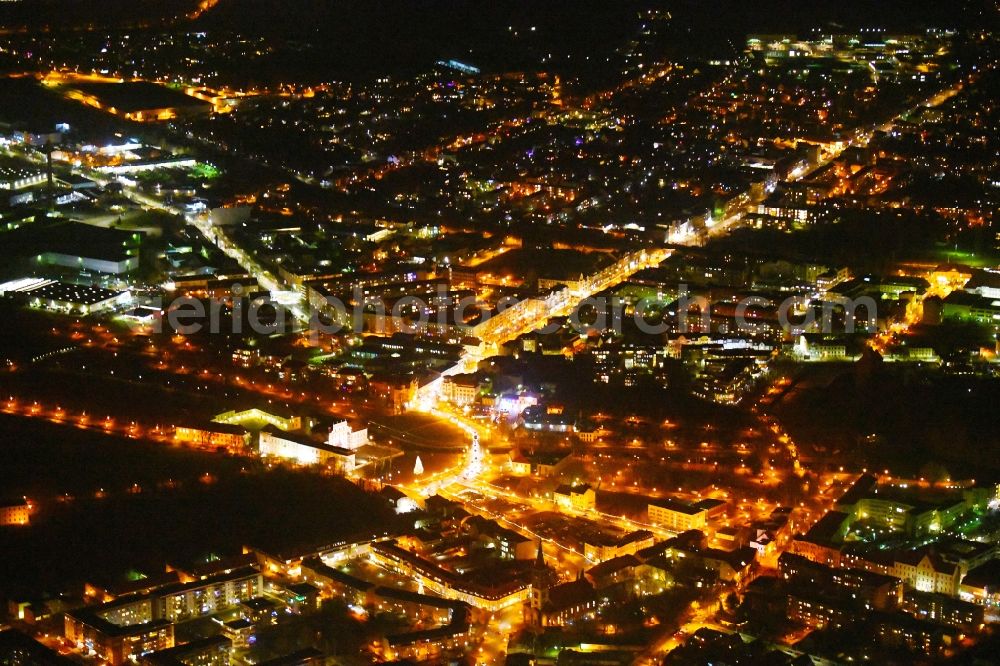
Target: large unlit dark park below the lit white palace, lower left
(187,505)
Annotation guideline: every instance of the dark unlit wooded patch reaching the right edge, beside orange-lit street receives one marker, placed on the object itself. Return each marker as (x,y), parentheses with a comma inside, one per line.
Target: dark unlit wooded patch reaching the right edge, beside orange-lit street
(898,418)
